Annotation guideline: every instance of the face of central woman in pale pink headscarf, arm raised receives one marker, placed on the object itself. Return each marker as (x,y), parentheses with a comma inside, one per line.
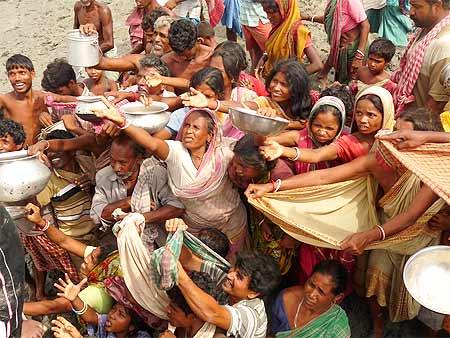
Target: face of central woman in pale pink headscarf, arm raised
(194,133)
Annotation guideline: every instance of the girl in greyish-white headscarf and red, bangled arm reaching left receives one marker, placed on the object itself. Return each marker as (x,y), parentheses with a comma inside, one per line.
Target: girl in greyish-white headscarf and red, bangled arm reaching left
(325,124)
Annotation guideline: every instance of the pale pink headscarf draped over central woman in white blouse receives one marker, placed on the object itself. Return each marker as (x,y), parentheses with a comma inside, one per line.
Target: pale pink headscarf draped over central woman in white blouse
(212,169)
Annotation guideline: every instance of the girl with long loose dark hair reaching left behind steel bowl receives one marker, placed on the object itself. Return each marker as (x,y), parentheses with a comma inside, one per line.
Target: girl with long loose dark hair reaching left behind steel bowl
(288,88)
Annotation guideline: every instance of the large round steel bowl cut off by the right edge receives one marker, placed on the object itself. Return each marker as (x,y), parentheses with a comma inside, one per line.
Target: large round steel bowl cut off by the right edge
(427,277)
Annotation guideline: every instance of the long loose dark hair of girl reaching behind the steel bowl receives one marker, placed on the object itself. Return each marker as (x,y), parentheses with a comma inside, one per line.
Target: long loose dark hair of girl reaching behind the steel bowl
(298,83)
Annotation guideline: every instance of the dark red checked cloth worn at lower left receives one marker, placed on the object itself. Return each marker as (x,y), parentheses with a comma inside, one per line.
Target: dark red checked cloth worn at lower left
(47,255)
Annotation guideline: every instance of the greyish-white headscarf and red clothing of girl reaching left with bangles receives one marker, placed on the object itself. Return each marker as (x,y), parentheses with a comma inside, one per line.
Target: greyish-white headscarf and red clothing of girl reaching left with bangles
(306,138)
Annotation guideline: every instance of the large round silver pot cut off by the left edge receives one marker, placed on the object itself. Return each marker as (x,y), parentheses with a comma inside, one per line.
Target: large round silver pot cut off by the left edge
(21,176)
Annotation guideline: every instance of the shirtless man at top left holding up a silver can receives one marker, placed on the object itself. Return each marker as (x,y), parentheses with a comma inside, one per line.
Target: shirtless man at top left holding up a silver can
(98,14)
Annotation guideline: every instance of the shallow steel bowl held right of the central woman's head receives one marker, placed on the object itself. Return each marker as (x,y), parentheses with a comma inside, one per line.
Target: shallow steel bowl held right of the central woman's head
(250,122)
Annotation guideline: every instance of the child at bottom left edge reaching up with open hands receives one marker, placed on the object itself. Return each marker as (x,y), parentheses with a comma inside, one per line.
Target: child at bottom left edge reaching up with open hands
(120,322)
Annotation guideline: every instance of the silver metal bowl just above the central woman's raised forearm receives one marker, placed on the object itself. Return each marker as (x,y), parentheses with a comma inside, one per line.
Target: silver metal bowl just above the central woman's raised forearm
(152,119)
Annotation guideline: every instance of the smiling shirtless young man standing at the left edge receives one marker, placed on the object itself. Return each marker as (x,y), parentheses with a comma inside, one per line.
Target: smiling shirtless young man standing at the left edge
(23,104)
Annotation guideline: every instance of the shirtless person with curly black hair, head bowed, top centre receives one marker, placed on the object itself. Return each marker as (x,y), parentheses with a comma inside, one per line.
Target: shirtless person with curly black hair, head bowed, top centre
(188,54)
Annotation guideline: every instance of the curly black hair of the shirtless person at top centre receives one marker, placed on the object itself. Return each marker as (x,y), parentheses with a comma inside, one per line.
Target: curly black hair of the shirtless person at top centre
(182,35)
